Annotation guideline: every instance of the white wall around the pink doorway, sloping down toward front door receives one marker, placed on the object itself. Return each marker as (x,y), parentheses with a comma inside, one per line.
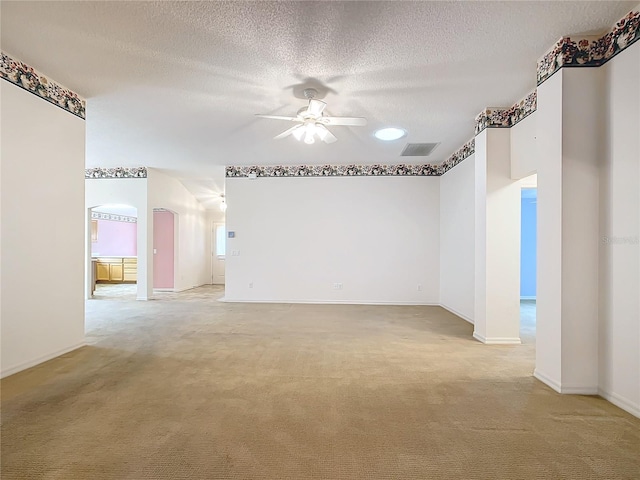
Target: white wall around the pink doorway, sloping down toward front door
(193,260)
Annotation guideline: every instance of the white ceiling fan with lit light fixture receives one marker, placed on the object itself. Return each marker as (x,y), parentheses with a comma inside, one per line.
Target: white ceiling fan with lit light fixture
(312,123)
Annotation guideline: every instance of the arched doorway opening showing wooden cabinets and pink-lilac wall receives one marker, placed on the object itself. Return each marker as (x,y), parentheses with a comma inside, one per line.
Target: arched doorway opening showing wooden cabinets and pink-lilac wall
(113,251)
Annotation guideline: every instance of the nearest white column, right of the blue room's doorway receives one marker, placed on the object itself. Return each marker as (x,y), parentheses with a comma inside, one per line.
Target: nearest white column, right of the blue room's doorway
(570,128)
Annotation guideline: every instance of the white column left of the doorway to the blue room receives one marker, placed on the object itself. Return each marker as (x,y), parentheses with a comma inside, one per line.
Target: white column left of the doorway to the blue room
(497,241)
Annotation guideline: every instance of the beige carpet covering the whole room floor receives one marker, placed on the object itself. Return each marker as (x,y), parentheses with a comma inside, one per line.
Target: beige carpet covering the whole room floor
(186,387)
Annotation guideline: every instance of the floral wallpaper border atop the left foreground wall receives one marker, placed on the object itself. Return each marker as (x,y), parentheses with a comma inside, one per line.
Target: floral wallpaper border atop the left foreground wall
(31,80)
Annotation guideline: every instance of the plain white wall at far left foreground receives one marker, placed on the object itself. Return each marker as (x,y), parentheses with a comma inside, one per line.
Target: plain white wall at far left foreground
(42,191)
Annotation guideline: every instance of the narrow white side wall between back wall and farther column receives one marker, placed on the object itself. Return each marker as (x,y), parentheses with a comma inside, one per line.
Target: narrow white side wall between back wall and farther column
(457,250)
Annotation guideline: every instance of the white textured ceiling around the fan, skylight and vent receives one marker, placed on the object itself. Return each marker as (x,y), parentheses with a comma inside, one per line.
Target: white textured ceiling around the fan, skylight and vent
(175,85)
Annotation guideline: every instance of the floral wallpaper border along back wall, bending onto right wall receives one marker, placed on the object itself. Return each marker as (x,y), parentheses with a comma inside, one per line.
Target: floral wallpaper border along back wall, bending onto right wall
(400,170)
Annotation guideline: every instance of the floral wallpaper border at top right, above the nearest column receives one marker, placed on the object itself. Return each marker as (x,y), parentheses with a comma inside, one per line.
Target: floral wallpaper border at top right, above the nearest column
(590,51)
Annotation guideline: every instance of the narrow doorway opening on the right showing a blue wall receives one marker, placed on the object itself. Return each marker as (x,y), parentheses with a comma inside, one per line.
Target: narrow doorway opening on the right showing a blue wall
(528,258)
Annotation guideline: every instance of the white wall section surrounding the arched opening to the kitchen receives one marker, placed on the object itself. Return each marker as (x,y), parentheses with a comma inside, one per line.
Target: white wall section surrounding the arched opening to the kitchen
(132,192)
